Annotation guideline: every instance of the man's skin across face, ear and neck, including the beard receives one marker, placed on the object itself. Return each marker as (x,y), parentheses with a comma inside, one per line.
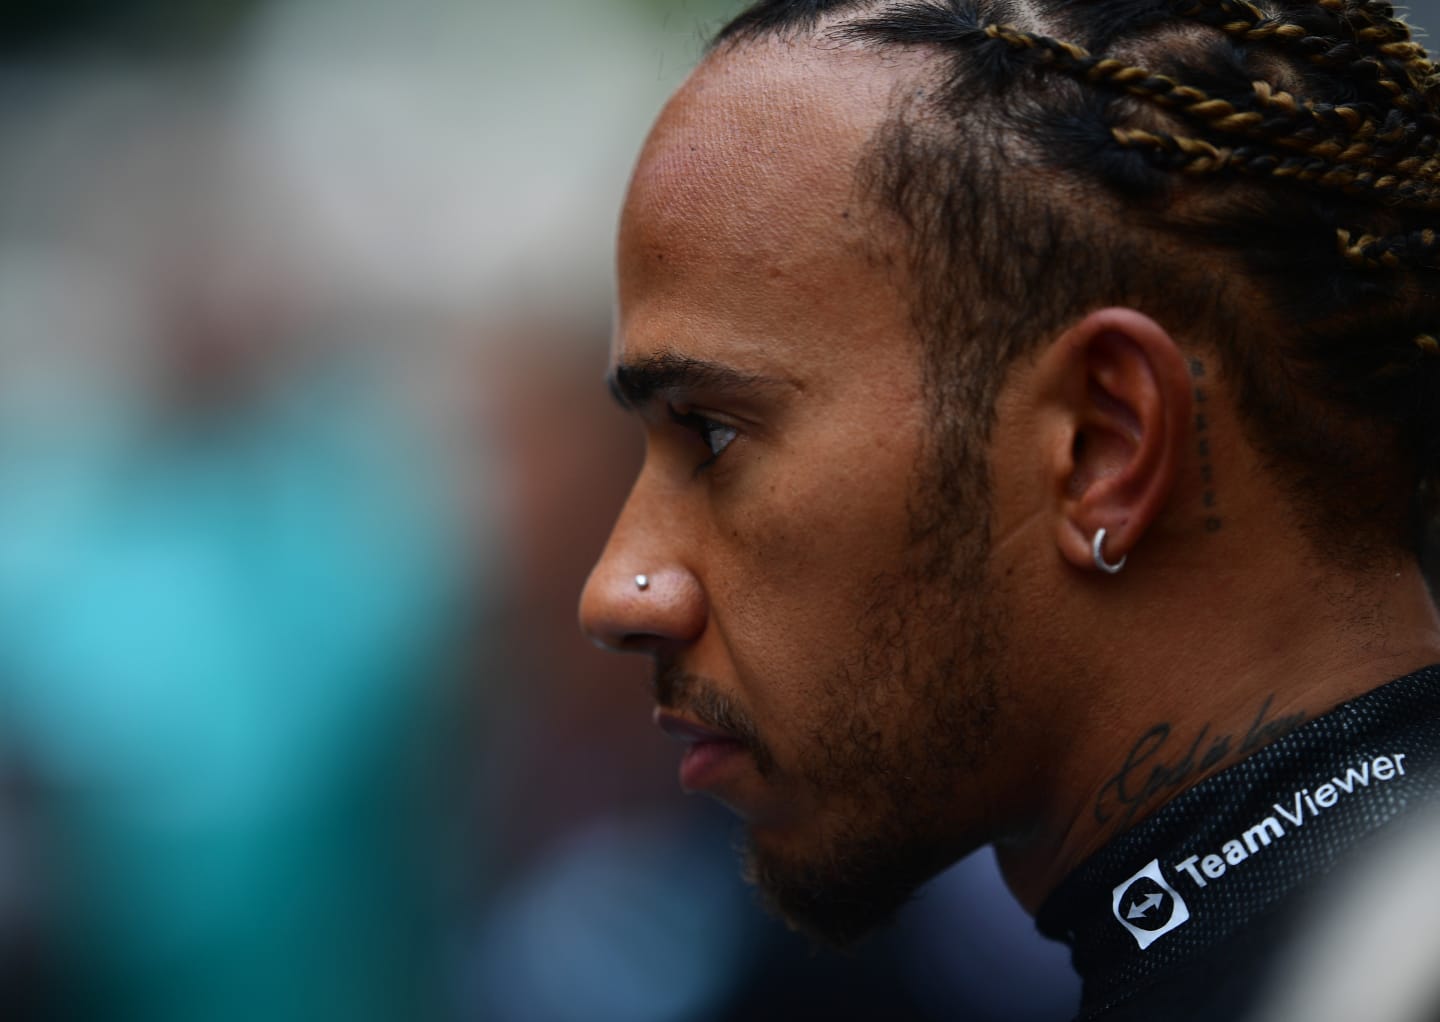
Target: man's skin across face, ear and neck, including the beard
(902,697)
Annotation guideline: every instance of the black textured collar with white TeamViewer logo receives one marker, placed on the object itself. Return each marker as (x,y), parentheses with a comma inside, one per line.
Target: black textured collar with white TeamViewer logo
(1180,916)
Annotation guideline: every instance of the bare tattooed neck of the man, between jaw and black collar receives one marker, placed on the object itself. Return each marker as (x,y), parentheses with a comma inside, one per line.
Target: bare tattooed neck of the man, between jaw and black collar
(1242,667)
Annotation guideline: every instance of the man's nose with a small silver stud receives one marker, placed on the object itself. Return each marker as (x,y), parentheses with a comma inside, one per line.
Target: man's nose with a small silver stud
(642,597)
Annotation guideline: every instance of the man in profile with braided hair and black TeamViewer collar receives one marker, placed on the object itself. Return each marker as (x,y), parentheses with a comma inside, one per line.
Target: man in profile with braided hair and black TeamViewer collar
(1039,407)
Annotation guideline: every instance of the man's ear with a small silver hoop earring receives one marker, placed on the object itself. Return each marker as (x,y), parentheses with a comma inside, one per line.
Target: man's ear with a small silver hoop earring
(1124,394)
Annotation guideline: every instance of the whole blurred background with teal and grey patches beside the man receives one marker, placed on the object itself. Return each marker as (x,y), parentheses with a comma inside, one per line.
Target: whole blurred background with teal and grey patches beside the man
(305,457)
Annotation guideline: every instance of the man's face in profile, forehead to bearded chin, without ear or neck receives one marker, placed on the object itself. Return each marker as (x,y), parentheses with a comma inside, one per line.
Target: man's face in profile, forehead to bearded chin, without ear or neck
(827,663)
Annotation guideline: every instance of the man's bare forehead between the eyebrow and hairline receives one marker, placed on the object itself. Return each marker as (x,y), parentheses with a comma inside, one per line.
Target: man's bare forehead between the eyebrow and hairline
(745,202)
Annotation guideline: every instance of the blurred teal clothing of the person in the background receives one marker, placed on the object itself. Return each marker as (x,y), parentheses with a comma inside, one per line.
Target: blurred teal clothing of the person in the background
(225,660)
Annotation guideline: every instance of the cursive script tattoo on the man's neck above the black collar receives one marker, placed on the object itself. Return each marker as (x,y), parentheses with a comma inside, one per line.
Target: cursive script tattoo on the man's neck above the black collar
(1156,765)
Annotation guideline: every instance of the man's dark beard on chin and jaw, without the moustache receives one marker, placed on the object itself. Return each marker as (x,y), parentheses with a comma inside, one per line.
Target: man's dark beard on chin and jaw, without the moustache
(896,779)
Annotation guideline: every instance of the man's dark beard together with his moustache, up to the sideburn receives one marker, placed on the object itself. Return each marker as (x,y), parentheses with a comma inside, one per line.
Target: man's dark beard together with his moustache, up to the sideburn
(898,736)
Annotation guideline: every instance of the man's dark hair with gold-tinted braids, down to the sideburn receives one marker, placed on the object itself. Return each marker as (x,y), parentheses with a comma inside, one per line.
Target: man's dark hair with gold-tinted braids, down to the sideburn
(1259,176)
